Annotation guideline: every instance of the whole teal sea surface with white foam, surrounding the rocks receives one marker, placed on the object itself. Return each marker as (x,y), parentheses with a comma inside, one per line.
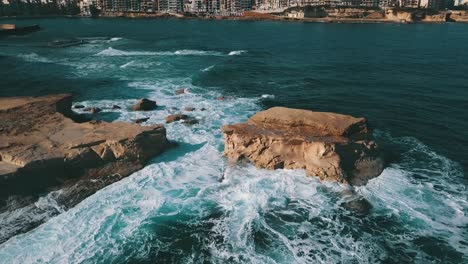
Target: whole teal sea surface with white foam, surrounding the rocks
(190,206)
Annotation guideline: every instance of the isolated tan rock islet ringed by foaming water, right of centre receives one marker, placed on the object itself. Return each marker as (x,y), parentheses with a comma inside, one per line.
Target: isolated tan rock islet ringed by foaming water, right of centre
(328,145)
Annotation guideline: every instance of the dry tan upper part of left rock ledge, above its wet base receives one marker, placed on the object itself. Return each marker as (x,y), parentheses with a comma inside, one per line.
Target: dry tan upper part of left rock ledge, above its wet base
(45,147)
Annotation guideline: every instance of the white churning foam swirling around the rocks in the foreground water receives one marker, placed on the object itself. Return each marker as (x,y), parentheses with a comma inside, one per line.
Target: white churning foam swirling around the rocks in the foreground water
(253,215)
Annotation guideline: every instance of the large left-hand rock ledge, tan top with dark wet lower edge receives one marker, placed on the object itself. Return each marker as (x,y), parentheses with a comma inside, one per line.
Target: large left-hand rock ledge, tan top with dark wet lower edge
(42,149)
